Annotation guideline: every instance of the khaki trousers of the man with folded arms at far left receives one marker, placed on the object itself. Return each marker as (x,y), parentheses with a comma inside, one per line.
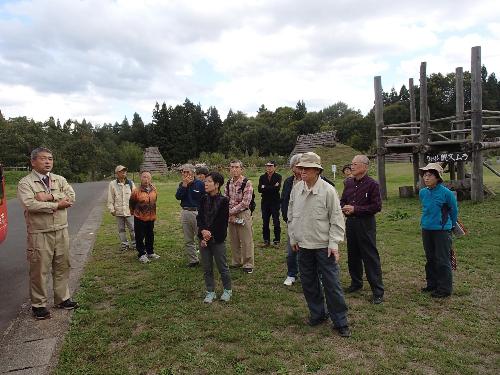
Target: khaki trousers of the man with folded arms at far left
(45,251)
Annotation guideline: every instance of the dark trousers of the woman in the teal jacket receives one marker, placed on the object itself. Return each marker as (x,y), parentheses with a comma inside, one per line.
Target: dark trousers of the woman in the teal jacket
(437,246)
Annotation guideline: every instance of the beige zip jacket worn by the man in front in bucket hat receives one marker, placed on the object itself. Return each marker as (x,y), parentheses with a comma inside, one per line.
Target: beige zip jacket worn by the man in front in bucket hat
(315,219)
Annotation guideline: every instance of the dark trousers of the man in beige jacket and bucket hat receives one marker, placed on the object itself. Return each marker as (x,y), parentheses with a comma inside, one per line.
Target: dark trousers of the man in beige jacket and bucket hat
(312,264)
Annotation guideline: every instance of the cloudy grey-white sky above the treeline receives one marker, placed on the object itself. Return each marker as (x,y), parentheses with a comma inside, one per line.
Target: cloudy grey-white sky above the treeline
(103,60)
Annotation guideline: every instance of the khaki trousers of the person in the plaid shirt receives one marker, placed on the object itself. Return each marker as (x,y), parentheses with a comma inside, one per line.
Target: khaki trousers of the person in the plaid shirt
(241,239)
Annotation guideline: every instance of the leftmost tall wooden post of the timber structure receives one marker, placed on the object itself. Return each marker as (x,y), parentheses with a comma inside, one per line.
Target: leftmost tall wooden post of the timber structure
(379,123)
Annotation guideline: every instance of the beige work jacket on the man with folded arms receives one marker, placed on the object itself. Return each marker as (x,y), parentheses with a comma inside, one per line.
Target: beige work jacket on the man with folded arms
(44,216)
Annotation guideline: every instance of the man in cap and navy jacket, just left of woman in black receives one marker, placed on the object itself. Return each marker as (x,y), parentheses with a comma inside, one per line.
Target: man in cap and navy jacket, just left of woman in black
(189,192)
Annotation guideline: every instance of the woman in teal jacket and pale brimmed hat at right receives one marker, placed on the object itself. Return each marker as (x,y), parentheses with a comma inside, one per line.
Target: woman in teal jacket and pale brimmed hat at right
(439,216)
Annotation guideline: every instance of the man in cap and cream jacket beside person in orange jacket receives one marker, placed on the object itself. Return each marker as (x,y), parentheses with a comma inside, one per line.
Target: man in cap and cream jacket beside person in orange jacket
(119,192)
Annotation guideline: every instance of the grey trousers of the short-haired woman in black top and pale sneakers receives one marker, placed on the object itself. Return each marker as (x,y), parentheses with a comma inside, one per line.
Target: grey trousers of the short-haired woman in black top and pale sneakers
(217,252)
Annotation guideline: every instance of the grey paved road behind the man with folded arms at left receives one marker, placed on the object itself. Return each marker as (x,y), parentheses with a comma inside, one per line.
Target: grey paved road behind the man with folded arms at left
(84,219)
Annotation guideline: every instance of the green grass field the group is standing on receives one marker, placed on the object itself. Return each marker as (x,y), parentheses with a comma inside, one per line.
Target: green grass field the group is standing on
(150,319)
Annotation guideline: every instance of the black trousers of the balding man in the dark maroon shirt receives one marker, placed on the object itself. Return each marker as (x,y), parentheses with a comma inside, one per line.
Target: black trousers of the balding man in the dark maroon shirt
(362,250)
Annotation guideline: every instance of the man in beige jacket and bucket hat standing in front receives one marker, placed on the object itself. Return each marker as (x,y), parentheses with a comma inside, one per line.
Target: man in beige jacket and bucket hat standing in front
(316,226)
